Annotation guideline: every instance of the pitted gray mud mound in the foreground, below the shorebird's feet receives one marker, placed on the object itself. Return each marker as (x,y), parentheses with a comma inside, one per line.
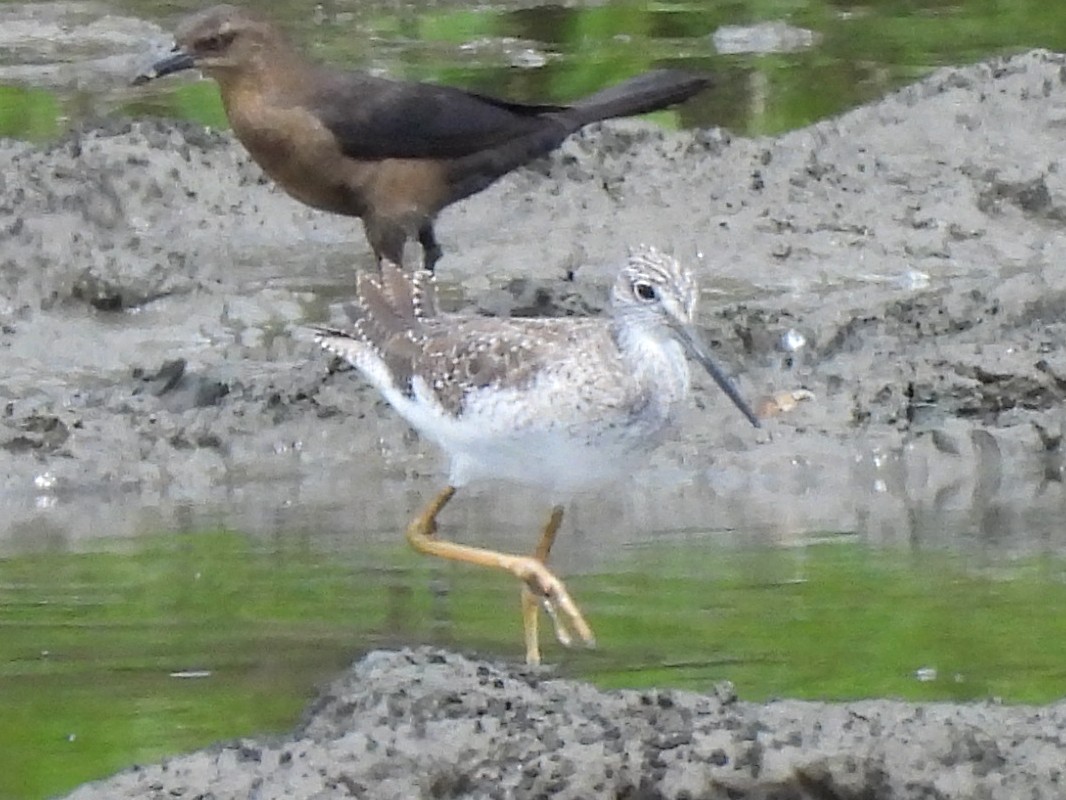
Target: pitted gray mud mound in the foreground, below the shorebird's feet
(433,725)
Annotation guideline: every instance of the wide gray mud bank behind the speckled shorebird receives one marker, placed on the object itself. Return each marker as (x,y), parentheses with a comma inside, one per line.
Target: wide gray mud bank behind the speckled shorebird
(915,247)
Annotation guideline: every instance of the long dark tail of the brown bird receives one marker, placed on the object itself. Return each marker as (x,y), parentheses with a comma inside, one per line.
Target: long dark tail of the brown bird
(649,92)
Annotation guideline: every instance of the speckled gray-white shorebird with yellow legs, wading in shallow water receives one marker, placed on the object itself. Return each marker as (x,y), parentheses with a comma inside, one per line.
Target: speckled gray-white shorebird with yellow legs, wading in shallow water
(558,404)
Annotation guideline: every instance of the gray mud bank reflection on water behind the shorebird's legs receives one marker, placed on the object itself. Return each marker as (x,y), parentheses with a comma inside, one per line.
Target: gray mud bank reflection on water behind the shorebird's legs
(978,494)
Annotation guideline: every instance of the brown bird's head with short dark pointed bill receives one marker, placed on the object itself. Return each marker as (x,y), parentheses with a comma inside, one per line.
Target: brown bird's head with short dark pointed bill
(220,41)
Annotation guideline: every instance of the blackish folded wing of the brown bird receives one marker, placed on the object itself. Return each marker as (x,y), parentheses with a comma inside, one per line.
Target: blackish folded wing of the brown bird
(376,119)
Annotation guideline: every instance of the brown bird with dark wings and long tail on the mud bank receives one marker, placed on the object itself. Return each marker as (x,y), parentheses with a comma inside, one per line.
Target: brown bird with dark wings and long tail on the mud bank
(392,153)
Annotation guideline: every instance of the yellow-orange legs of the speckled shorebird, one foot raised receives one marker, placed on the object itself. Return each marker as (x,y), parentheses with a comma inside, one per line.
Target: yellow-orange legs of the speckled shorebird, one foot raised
(530,570)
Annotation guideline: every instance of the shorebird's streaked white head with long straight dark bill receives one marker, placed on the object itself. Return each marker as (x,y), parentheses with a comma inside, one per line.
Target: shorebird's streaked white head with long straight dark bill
(655,292)
